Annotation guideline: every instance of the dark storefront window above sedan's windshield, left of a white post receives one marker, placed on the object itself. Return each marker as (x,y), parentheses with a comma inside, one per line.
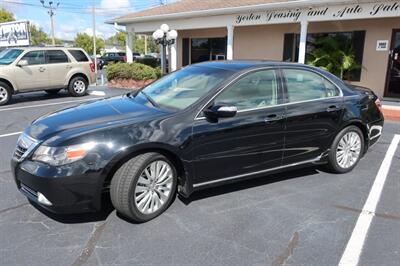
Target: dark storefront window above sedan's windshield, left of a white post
(208,49)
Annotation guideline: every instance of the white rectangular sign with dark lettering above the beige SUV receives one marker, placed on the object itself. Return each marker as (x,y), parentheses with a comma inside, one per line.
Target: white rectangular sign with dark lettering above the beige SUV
(14,33)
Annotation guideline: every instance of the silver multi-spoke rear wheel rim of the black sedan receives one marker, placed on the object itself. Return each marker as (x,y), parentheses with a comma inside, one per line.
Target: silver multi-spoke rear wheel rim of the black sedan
(348,150)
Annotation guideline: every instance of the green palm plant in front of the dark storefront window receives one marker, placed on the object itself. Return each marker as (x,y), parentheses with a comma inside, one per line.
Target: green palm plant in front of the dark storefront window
(333,53)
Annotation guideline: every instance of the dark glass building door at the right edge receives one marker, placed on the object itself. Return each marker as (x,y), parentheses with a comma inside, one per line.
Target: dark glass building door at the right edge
(393,79)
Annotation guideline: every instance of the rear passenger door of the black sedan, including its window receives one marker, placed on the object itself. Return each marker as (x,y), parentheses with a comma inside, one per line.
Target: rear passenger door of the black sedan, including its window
(314,113)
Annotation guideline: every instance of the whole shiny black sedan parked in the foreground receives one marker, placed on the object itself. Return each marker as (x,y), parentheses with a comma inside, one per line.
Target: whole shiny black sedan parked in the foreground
(205,125)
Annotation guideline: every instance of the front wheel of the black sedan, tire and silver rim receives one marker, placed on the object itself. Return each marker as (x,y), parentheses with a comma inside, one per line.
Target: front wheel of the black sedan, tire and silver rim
(137,196)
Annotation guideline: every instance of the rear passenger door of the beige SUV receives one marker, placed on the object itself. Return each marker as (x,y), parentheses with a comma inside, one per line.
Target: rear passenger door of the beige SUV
(59,65)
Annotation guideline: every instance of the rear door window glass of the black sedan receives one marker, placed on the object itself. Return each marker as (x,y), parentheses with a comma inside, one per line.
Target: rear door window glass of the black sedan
(304,85)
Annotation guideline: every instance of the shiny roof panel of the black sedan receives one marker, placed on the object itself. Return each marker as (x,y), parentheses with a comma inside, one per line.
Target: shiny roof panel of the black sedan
(239,65)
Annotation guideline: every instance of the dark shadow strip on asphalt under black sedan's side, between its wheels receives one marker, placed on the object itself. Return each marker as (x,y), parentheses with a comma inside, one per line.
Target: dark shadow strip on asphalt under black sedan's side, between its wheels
(249,183)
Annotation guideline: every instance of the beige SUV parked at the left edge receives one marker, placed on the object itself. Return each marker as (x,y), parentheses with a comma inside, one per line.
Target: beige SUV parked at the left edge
(50,69)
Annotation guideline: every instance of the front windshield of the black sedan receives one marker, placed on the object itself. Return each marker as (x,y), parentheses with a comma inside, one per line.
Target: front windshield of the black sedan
(180,89)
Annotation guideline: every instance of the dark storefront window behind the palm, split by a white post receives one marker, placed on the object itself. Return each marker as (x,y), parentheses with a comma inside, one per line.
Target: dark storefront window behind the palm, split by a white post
(340,53)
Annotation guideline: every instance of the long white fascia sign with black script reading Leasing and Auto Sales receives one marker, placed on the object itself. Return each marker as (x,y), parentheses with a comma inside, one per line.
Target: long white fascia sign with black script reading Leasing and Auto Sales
(338,12)
